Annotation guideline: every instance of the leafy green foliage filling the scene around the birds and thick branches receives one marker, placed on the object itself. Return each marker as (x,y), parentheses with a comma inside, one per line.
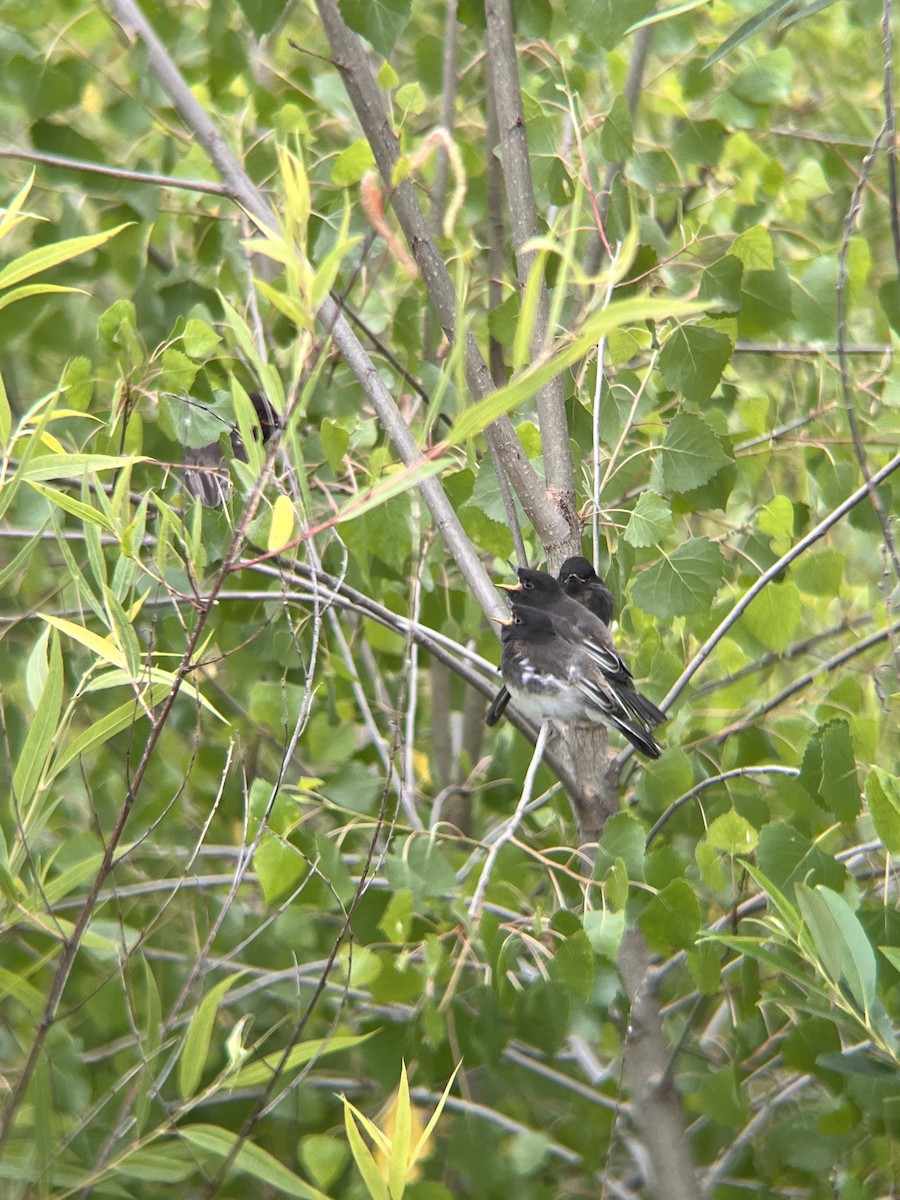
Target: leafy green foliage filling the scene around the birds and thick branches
(289,913)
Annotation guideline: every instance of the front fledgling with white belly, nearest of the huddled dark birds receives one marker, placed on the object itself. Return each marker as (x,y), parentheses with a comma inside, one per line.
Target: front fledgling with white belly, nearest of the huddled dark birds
(554,679)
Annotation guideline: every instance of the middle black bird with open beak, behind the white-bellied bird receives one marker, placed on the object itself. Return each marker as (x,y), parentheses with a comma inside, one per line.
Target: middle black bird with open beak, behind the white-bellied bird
(575,623)
